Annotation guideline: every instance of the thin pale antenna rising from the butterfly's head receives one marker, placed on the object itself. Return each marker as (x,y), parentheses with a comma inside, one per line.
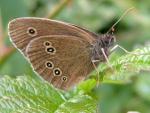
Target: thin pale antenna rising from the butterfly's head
(122,16)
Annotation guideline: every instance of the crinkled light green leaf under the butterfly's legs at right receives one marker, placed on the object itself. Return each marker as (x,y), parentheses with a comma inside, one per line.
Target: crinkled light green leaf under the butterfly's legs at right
(127,65)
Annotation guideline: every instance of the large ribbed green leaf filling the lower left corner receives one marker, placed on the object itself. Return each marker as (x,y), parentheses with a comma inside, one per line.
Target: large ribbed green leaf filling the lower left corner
(23,94)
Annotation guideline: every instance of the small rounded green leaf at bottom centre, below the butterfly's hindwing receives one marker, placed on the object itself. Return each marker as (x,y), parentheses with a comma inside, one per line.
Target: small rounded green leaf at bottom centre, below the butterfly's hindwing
(78,104)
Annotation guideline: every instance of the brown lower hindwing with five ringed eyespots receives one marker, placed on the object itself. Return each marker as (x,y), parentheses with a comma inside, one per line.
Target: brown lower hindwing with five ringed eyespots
(71,57)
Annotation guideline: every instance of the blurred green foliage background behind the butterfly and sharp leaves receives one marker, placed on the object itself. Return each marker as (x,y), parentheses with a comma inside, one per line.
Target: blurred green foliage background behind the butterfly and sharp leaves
(132,31)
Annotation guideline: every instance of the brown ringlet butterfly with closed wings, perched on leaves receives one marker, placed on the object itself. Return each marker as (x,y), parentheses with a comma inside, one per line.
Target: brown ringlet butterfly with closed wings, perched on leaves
(62,53)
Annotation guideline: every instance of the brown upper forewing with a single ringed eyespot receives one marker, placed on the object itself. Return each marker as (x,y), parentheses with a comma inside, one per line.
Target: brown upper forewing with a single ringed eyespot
(23,30)
